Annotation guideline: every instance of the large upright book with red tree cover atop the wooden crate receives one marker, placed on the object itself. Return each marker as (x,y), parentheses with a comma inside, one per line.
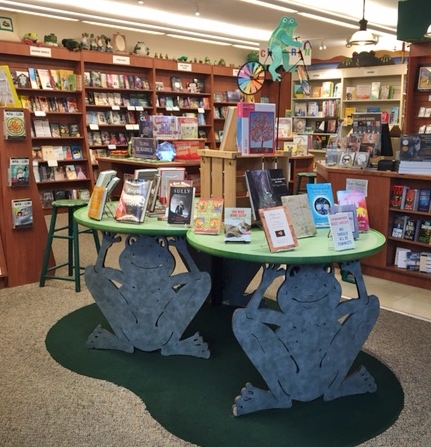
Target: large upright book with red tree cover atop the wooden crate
(255,128)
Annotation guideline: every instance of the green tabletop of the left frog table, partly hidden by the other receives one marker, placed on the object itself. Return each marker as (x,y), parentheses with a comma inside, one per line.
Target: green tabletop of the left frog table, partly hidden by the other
(150,227)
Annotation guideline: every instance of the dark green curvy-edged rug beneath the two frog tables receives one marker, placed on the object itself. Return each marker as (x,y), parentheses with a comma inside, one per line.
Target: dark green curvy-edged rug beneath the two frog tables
(192,397)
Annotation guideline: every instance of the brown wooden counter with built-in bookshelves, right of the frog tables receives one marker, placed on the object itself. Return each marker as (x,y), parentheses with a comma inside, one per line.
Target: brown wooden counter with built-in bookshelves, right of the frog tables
(382,218)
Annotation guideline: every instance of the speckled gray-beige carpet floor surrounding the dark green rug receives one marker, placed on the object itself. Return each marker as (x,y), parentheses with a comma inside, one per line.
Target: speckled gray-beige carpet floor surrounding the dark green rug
(42,404)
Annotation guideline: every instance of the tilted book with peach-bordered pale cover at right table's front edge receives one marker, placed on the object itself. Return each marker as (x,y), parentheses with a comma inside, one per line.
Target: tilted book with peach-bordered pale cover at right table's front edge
(278,228)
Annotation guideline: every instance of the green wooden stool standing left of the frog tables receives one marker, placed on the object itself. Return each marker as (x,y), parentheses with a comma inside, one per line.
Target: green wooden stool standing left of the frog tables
(74,268)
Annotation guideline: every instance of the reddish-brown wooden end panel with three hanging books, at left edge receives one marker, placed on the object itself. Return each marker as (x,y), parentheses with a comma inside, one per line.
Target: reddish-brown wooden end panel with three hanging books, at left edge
(23,248)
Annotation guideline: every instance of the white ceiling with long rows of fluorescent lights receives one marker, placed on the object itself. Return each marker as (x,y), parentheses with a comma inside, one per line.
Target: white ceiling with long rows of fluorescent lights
(251,22)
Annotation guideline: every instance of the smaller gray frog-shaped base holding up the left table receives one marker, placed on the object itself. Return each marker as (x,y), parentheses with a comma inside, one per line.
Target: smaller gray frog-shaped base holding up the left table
(146,306)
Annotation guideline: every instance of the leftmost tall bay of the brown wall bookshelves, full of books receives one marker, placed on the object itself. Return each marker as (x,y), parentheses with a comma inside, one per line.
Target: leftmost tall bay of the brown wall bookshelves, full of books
(56,106)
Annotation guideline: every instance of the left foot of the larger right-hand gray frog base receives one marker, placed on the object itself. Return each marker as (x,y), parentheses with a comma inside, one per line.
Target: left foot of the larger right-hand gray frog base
(254,399)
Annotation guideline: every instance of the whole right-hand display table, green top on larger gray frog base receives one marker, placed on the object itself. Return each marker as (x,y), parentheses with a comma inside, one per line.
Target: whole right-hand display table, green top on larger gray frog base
(305,344)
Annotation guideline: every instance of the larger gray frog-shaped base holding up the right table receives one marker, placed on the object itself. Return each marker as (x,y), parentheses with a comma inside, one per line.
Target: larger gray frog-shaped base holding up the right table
(305,349)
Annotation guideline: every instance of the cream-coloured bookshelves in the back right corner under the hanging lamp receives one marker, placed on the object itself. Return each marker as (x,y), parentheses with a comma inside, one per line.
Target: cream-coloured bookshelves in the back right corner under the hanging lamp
(346,101)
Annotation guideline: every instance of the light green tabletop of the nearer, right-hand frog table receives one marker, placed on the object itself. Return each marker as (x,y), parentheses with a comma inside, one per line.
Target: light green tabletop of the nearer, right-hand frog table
(310,250)
